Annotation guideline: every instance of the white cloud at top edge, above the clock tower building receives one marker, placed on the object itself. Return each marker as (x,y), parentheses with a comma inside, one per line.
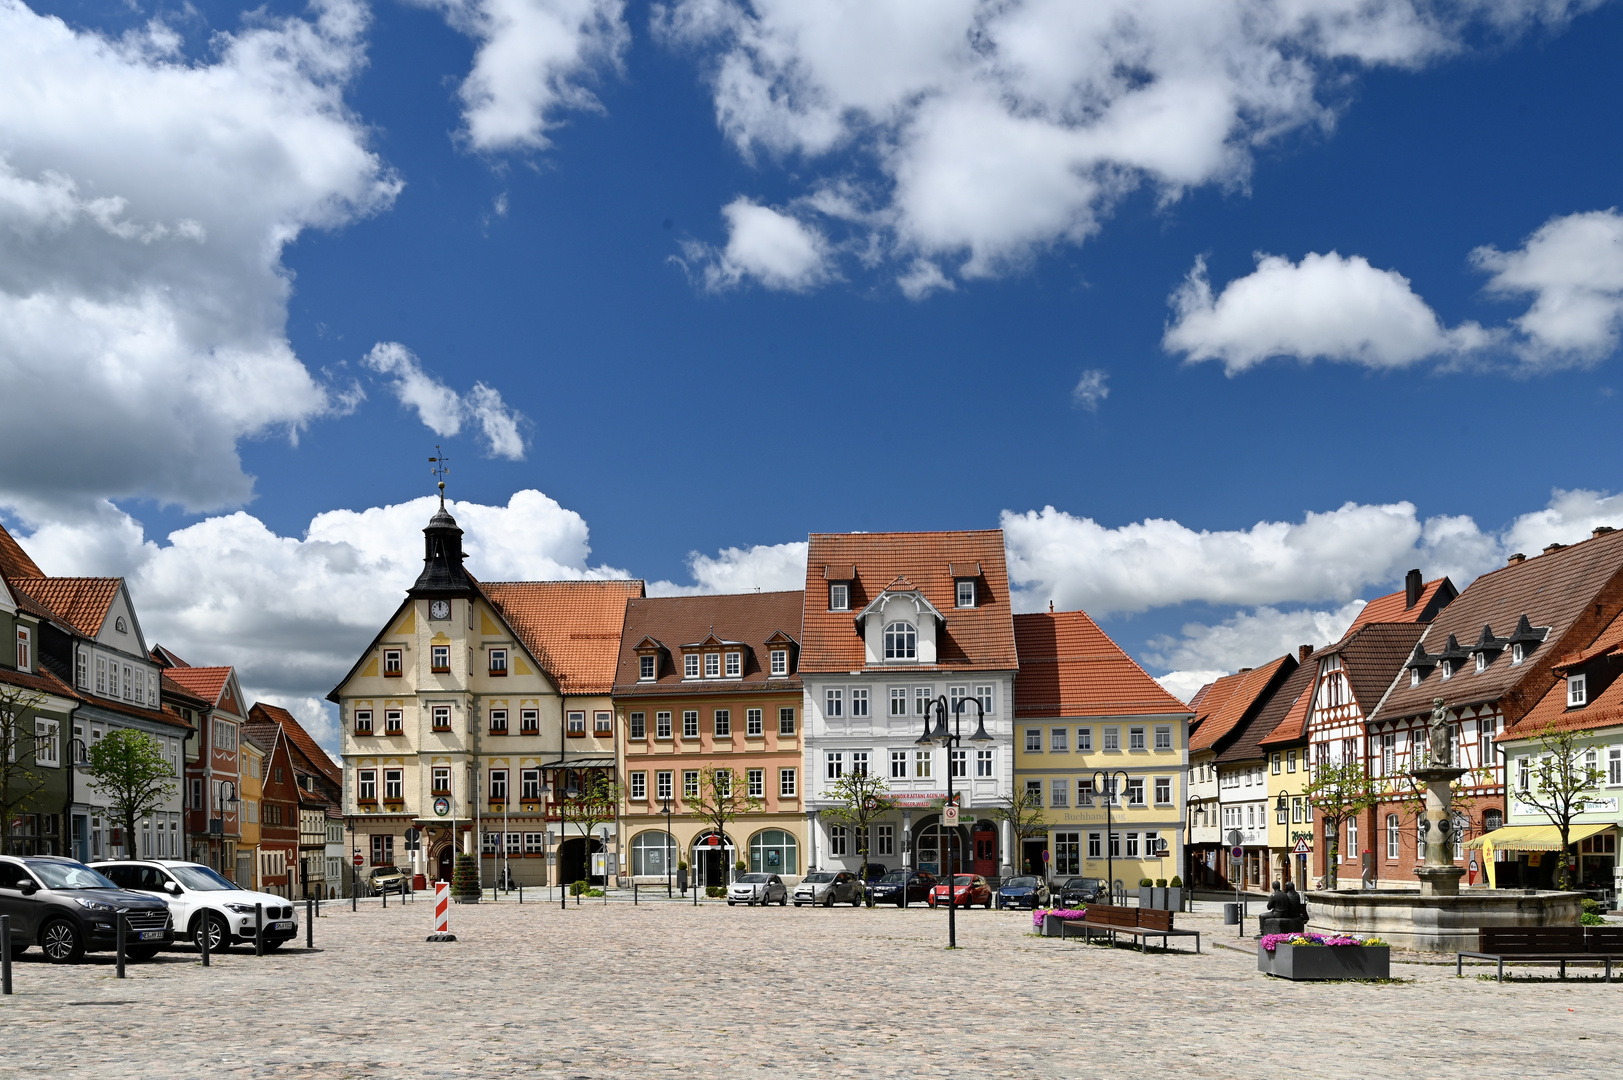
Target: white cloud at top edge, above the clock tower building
(533,63)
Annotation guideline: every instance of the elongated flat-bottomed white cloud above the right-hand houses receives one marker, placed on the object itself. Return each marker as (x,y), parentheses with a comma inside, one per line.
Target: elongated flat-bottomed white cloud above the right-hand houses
(1324,308)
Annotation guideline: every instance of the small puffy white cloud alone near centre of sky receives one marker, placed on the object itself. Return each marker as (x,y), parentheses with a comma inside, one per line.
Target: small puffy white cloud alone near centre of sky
(765,246)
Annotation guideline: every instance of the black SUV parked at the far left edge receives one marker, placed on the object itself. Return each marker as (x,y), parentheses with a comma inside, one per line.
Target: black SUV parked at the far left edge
(69,910)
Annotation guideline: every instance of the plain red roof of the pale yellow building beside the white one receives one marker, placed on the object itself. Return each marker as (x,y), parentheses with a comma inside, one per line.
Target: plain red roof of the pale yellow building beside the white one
(1072,668)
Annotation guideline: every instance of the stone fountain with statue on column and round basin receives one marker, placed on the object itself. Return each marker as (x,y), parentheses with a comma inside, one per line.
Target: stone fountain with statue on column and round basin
(1439,917)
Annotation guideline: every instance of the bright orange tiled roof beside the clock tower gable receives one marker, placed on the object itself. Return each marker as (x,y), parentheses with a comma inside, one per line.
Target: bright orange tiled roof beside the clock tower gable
(570,628)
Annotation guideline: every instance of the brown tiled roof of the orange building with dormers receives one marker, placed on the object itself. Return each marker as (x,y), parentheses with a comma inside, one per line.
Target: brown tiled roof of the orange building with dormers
(754,620)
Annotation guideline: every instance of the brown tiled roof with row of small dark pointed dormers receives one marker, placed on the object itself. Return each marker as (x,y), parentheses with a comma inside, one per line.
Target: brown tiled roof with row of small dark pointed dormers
(1557,590)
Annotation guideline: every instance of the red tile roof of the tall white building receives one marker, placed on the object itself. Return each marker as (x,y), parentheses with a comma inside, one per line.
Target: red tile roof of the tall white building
(975,639)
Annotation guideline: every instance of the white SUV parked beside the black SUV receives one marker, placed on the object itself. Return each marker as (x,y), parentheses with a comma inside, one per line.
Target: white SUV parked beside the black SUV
(205,904)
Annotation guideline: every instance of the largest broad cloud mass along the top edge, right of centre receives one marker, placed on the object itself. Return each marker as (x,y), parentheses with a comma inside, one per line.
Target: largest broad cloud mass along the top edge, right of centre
(1004,127)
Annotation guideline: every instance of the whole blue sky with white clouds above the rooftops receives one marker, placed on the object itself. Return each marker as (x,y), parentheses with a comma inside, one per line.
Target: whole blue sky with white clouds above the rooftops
(1228,314)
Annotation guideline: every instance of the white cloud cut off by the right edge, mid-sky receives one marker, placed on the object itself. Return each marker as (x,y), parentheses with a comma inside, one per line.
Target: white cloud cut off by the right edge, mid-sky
(1573,269)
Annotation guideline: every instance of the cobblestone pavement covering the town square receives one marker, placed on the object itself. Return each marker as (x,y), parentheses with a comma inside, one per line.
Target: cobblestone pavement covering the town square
(674,991)
